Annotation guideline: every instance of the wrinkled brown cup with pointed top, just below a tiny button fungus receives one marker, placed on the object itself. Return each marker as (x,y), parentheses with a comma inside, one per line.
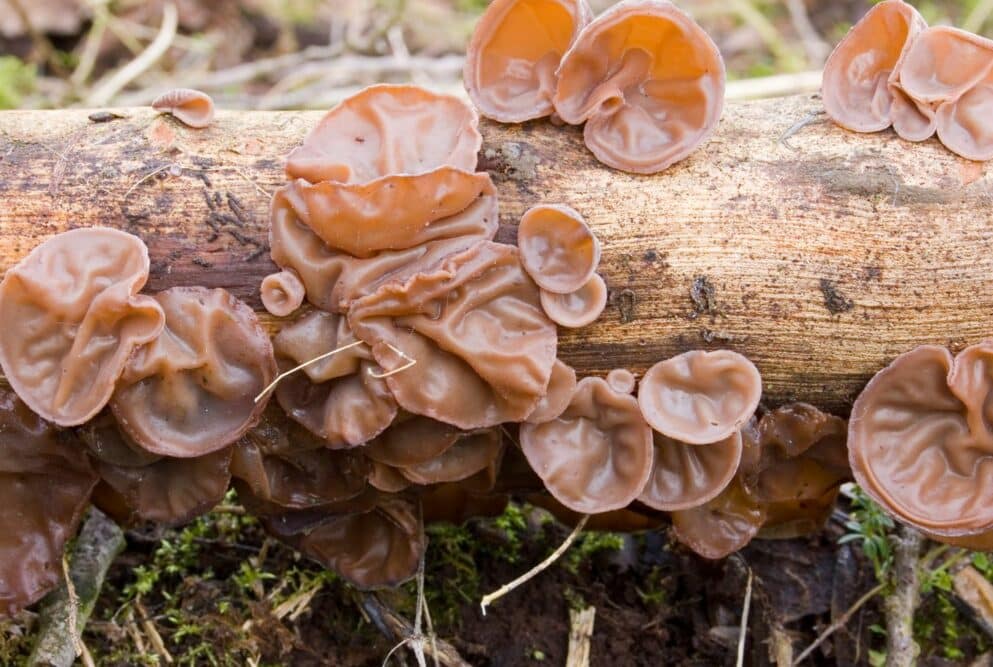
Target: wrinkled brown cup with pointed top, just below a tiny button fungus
(597,455)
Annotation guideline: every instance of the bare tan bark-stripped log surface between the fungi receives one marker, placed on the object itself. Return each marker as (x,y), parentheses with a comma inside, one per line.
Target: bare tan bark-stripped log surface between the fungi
(821,258)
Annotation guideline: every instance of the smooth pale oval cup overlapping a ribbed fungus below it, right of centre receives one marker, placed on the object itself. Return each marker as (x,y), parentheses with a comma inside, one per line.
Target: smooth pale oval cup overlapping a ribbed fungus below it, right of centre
(700,397)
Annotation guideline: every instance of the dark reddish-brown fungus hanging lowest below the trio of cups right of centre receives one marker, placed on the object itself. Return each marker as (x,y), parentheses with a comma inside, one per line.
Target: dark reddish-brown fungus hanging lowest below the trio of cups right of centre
(721,527)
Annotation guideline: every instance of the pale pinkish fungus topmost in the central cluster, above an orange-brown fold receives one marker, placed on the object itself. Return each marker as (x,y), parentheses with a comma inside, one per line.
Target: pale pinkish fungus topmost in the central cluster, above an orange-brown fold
(385,130)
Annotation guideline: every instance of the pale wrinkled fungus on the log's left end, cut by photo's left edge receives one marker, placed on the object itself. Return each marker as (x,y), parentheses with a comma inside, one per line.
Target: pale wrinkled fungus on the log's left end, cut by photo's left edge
(72,318)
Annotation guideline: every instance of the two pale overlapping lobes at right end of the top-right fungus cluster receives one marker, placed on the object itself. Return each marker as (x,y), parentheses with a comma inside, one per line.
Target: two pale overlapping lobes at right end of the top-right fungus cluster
(953,70)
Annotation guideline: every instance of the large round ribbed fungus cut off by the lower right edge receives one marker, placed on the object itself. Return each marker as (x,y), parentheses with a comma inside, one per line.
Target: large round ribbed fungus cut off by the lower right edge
(920,441)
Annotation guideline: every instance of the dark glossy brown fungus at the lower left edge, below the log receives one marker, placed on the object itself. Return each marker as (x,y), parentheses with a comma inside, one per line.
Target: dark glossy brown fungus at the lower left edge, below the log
(45,484)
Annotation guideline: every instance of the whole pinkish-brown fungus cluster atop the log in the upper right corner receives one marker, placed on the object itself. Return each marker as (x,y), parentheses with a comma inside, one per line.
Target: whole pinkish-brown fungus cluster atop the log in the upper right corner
(894,70)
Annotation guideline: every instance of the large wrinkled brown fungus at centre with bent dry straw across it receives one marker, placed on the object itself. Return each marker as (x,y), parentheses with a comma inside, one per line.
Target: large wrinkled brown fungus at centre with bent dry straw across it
(466,343)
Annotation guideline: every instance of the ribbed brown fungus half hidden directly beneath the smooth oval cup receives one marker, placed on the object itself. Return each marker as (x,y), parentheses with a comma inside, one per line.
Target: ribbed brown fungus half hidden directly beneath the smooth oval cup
(685,476)
